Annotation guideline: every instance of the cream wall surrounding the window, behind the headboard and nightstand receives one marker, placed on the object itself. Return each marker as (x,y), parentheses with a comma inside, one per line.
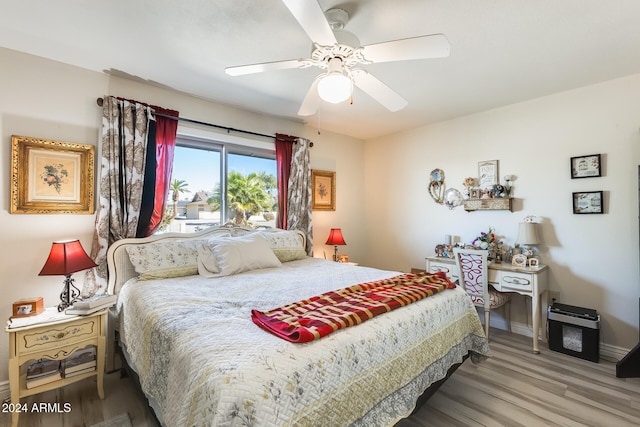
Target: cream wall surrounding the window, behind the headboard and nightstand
(46,99)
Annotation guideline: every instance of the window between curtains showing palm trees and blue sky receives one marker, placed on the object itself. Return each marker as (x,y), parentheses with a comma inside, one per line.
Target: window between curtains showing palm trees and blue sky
(214,182)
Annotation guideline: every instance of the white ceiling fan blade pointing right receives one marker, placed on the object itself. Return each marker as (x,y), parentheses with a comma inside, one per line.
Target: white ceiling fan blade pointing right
(424,47)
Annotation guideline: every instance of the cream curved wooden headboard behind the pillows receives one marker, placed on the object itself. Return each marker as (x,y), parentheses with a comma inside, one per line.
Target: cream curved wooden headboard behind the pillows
(121,269)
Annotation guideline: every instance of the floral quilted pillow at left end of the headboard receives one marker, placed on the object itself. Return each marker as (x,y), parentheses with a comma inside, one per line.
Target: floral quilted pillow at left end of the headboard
(164,259)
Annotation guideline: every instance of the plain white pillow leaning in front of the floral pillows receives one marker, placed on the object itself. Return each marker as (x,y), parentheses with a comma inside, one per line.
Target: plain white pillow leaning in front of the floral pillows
(236,255)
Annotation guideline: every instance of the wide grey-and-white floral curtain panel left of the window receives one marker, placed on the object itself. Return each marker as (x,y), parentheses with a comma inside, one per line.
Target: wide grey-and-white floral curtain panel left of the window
(125,127)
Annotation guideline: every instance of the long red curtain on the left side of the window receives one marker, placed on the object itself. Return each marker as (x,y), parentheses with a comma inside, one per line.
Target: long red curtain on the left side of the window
(166,128)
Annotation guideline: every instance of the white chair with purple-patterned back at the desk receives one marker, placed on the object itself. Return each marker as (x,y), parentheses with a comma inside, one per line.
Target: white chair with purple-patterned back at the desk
(474,279)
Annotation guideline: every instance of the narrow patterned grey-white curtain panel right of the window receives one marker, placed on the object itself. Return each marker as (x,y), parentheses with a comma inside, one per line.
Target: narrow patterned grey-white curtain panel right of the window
(299,194)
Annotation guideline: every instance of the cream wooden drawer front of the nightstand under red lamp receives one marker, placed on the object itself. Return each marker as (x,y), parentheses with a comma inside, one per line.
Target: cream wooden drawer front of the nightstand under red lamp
(53,336)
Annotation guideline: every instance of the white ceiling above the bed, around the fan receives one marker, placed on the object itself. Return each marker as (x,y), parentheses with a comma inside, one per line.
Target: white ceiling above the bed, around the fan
(502,51)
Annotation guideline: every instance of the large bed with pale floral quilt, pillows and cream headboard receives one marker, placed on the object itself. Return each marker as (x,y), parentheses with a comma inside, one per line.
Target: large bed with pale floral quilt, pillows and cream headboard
(200,360)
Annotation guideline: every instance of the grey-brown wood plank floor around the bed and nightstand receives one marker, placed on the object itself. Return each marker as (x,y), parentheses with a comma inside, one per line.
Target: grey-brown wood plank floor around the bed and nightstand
(513,388)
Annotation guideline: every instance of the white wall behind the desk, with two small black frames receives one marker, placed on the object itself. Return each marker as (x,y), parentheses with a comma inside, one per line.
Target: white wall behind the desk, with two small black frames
(593,258)
